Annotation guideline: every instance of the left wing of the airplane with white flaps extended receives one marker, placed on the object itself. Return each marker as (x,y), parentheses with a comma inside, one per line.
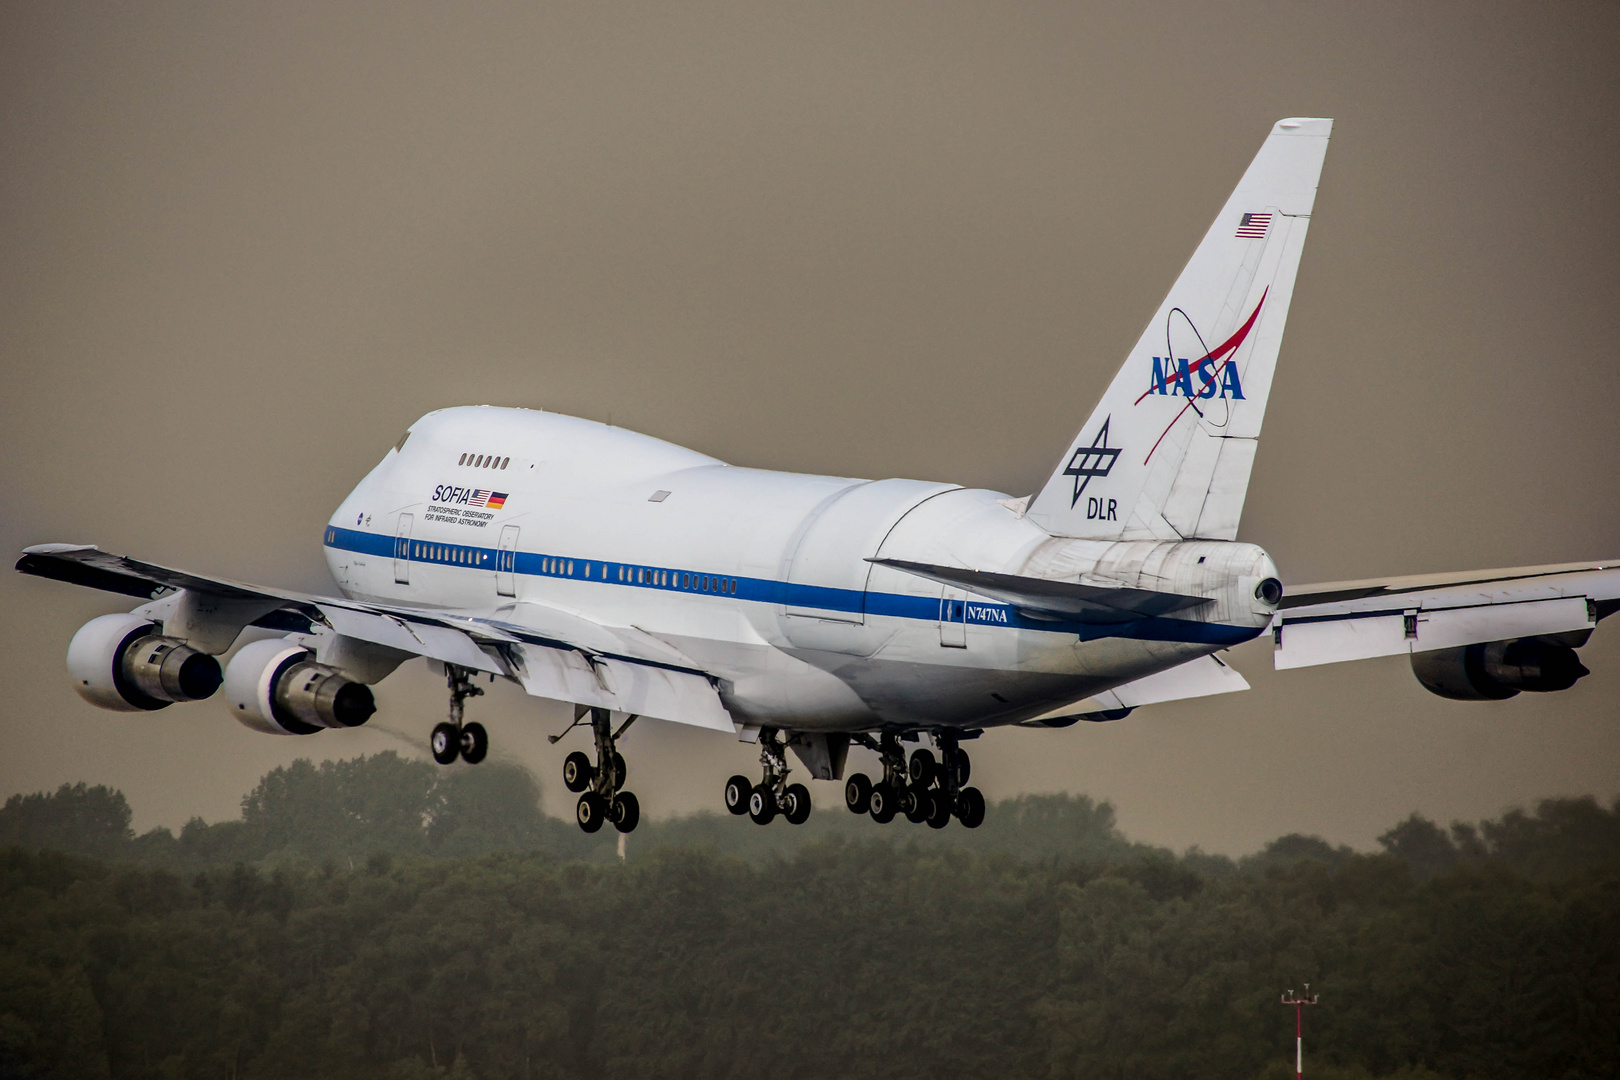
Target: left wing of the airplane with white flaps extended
(553,653)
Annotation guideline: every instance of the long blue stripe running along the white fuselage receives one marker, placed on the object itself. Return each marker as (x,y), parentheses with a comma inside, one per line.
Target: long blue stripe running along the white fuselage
(770,592)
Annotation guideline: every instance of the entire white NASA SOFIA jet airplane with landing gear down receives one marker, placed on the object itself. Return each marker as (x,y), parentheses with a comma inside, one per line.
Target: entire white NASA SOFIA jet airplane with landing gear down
(636,579)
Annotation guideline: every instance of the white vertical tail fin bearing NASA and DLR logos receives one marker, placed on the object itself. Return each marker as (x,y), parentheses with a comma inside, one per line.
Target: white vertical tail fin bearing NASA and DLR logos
(1167,453)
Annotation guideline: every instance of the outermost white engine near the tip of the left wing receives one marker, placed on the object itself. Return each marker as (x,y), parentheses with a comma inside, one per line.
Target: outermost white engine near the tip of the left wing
(121,663)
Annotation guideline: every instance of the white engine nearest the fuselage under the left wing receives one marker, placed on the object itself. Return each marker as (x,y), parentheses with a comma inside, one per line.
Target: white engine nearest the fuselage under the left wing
(276,687)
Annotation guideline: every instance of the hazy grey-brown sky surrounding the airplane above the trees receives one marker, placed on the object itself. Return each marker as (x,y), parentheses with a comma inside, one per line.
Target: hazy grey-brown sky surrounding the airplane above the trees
(244,247)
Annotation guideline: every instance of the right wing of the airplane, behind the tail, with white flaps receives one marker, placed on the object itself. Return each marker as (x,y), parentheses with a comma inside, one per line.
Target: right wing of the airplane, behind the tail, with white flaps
(1352,621)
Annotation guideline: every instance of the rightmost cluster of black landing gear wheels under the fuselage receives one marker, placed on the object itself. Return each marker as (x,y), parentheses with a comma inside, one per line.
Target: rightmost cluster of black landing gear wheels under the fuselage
(926,789)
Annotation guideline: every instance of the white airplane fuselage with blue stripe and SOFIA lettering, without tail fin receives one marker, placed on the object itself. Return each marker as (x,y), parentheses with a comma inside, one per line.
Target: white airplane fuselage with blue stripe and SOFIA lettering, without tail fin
(764,579)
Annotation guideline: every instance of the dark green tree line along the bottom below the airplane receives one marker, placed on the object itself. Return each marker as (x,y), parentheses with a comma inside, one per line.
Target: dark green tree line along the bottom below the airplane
(370,919)
